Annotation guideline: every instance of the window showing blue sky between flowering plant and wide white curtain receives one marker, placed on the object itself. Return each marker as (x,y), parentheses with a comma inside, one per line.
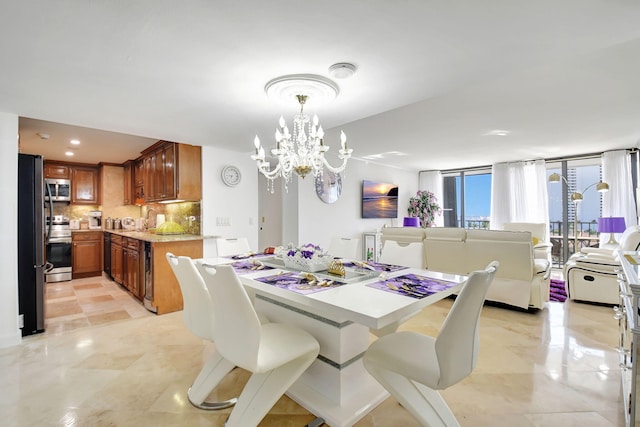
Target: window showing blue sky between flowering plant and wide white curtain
(467,198)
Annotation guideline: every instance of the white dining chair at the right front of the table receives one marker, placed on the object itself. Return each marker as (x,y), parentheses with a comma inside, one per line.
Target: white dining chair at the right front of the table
(413,367)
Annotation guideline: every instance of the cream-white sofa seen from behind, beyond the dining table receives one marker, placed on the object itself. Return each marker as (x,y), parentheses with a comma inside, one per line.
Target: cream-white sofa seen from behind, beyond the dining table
(522,280)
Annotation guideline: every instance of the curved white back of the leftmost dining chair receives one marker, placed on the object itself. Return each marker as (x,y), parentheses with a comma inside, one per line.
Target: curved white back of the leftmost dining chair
(197,308)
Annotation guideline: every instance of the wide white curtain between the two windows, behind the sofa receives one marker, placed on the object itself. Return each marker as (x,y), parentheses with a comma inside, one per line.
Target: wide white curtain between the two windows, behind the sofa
(519,193)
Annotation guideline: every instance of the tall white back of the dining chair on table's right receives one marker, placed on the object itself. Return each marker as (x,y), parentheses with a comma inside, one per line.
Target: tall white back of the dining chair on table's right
(458,341)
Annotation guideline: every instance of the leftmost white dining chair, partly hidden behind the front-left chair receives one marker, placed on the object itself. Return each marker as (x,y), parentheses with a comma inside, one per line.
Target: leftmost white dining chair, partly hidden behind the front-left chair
(198,316)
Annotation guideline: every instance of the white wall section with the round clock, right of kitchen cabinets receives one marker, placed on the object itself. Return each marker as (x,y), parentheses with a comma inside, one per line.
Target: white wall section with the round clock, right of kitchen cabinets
(239,204)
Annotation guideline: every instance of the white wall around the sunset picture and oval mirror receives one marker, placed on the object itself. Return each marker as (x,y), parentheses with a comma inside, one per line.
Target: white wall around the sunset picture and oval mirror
(318,222)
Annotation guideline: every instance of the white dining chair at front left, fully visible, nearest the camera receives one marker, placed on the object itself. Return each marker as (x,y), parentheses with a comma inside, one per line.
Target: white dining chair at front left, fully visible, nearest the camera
(275,353)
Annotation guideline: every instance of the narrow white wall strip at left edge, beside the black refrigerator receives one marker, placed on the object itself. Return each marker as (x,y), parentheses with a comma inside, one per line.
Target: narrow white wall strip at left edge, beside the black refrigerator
(9,331)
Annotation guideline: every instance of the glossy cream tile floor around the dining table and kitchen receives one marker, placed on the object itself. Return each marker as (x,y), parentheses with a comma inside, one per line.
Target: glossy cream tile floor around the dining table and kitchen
(556,367)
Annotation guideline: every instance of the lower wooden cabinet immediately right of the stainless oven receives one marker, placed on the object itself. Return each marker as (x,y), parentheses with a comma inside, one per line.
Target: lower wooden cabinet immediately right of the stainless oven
(86,254)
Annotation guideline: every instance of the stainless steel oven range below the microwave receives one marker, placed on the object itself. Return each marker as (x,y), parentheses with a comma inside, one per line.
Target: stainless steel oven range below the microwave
(58,249)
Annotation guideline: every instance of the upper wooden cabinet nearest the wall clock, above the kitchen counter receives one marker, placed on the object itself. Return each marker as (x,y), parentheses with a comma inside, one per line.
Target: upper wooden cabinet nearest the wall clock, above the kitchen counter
(173,171)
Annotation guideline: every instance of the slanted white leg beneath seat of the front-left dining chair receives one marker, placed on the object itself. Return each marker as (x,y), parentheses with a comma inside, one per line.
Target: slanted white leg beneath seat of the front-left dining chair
(263,390)
